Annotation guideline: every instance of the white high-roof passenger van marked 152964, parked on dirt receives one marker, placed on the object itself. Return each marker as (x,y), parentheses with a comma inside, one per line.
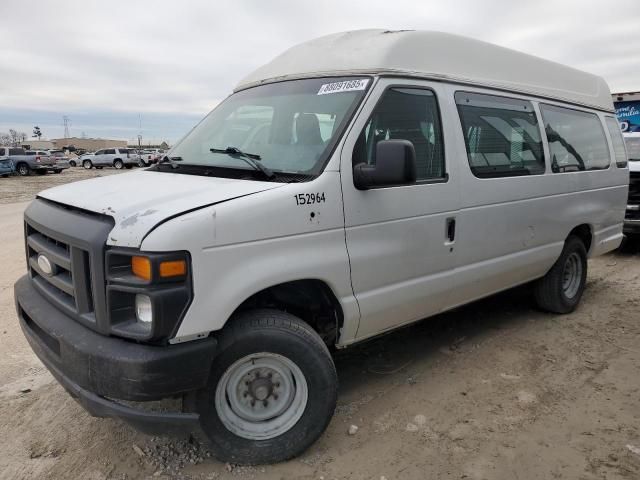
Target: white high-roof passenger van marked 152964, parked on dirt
(355,184)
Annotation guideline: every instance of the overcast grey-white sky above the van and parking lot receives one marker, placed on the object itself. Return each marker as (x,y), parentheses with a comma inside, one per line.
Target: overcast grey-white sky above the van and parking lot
(122,68)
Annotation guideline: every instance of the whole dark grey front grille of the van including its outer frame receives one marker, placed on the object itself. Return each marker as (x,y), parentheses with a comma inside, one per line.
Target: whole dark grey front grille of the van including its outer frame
(74,242)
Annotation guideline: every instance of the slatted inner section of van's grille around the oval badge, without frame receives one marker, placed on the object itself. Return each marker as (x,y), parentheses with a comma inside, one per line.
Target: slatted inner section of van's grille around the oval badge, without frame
(70,282)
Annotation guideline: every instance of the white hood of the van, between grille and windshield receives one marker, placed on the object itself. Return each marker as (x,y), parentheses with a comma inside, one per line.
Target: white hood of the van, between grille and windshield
(138,201)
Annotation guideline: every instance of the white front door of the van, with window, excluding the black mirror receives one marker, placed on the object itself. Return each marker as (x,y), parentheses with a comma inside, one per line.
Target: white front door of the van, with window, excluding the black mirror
(401,239)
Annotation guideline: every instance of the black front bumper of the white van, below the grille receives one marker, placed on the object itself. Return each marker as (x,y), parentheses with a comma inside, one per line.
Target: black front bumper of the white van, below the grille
(95,368)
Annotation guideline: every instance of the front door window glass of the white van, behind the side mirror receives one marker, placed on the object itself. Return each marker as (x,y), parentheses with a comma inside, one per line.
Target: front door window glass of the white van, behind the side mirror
(406,114)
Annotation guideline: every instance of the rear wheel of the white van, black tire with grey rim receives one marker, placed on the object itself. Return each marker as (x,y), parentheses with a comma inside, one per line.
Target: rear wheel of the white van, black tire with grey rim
(560,290)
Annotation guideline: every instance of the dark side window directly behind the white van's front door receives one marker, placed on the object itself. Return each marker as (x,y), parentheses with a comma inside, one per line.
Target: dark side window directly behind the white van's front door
(502,135)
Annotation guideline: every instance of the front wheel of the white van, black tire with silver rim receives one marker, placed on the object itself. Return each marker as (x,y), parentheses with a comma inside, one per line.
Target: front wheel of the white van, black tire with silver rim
(265,342)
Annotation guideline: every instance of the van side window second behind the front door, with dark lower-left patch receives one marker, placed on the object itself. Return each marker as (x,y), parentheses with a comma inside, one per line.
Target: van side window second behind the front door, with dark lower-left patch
(576,139)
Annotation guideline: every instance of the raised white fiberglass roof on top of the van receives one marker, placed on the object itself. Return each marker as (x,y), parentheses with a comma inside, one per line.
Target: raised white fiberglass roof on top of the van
(434,55)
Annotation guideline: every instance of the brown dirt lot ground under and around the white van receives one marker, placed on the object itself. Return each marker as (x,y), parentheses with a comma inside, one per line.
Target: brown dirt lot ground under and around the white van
(495,390)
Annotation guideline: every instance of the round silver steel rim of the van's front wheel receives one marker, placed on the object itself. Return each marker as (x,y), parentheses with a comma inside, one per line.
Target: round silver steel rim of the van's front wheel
(261,396)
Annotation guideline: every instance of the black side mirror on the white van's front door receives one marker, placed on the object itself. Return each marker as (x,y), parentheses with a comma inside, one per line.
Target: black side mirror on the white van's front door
(395,165)
